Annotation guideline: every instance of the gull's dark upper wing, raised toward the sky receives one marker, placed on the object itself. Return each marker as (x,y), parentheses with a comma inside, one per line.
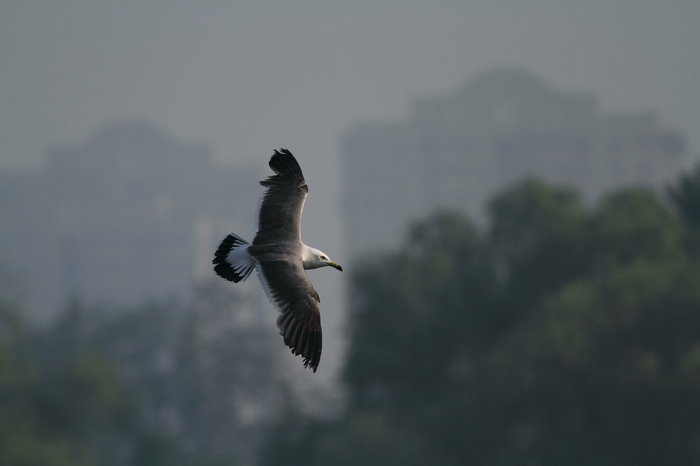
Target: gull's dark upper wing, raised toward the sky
(279,215)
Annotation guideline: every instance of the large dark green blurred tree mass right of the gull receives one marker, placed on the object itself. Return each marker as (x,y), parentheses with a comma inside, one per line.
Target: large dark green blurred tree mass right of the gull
(560,335)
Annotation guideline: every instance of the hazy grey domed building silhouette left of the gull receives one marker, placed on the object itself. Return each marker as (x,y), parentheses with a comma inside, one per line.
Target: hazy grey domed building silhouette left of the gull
(119,217)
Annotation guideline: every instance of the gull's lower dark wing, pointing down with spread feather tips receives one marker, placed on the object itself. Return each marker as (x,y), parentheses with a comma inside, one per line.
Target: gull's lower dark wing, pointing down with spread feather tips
(291,292)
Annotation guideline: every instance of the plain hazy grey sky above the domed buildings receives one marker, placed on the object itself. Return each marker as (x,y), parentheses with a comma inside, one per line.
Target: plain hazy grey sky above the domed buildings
(247,77)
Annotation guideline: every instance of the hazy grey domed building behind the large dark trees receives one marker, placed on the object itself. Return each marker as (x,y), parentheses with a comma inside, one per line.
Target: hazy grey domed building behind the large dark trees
(457,151)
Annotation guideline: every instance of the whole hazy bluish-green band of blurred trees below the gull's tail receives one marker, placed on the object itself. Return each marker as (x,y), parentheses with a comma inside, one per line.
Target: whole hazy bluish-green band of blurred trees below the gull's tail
(147,386)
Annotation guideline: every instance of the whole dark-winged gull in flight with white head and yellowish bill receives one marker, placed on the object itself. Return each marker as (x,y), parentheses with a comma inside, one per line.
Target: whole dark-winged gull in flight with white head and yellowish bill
(279,257)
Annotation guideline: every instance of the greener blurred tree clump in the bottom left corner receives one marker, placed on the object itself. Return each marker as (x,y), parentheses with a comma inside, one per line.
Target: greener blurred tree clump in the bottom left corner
(66,413)
